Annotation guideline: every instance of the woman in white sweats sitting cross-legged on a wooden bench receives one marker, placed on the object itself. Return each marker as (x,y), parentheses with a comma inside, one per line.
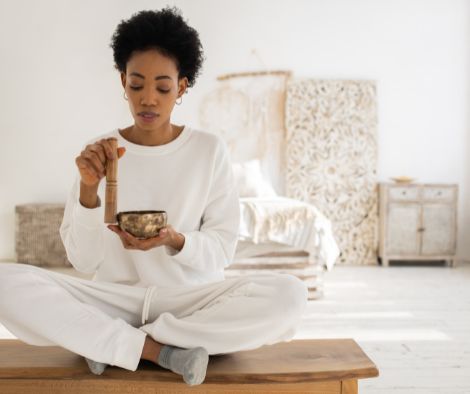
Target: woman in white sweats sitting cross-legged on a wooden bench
(163,299)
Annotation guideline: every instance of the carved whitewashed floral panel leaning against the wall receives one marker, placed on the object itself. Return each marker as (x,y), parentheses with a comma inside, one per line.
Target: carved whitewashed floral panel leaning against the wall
(332,158)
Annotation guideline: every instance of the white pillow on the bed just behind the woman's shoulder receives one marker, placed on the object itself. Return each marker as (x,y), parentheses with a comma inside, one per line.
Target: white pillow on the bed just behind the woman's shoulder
(250,180)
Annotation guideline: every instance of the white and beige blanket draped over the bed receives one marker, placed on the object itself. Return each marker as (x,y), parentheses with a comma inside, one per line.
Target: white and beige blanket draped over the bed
(290,222)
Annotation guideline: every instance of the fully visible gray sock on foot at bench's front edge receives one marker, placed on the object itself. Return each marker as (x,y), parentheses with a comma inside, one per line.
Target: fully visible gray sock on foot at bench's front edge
(191,363)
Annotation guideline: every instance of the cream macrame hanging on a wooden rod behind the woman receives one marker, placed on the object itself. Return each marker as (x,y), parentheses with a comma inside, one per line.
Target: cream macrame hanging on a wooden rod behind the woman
(247,110)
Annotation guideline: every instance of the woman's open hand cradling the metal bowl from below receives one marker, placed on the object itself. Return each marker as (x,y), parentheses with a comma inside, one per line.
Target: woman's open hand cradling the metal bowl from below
(166,236)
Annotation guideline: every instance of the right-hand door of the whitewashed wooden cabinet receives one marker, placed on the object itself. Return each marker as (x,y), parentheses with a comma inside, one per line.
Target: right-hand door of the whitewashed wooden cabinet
(439,229)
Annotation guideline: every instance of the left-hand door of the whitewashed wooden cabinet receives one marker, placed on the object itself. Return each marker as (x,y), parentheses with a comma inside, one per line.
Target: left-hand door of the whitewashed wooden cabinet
(402,225)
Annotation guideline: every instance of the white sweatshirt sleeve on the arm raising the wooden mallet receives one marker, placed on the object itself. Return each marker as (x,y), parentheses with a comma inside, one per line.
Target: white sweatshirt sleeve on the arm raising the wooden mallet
(81,232)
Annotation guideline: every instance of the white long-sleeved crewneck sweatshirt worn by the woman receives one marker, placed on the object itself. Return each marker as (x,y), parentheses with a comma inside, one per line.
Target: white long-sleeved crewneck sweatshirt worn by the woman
(190,178)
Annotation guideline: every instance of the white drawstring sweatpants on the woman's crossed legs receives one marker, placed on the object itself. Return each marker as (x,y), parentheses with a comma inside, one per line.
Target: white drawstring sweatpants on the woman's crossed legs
(108,322)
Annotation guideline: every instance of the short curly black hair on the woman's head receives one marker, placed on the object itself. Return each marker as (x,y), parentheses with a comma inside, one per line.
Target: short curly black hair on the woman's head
(164,30)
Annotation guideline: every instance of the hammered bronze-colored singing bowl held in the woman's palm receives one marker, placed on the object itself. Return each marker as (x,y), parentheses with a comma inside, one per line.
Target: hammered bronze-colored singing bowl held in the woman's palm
(142,224)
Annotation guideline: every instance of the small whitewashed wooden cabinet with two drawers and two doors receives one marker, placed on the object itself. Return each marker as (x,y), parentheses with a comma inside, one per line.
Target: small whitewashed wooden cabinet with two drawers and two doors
(417,222)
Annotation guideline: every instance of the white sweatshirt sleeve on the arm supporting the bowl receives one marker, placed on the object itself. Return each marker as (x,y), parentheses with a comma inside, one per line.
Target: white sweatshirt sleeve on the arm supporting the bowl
(212,247)
